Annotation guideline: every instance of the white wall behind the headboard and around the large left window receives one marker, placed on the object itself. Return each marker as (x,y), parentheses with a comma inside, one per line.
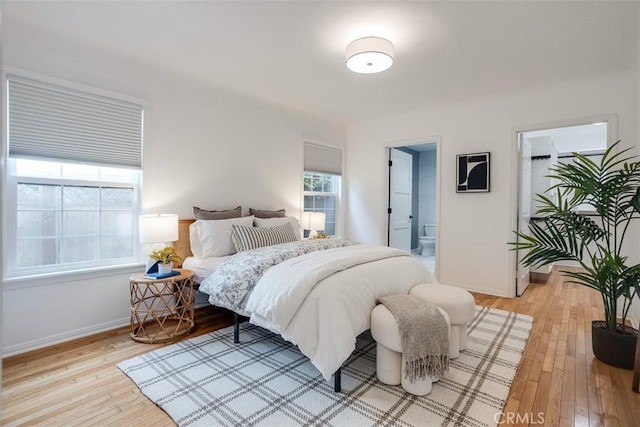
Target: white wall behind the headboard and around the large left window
(204,146)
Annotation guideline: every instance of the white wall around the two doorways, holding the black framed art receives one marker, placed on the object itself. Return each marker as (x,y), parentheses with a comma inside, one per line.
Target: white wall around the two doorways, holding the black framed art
(475,228)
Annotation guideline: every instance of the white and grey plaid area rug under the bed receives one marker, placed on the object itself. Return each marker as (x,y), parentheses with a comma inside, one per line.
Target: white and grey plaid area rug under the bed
(209,381)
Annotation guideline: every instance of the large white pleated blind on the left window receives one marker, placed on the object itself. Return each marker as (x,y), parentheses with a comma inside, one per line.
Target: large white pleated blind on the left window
(56,122)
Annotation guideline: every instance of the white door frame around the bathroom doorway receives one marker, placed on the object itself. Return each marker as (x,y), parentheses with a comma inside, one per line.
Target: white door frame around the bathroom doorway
(384,225)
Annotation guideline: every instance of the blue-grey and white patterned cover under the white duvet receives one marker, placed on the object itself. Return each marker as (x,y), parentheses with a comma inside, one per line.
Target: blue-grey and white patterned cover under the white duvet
(234,280)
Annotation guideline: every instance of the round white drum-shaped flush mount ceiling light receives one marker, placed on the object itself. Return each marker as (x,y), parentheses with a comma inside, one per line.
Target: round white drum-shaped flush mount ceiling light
(369,55)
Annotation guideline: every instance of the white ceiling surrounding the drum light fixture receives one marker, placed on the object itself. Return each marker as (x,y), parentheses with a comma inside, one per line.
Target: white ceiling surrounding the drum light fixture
(292,53)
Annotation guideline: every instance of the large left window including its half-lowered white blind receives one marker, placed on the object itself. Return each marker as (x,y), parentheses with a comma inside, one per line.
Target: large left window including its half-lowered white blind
(73,179)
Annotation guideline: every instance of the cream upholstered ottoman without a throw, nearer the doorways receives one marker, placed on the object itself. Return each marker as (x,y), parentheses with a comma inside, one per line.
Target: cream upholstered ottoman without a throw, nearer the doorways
(459,305)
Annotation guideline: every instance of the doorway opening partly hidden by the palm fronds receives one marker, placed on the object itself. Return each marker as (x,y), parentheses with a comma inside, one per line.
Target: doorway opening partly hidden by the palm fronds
(538,152)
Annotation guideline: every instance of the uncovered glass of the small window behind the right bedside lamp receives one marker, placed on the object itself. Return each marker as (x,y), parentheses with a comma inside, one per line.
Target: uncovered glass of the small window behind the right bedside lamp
(321,195)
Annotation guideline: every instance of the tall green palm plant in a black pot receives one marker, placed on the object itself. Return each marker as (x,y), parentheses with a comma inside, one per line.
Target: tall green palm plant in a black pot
(596,242)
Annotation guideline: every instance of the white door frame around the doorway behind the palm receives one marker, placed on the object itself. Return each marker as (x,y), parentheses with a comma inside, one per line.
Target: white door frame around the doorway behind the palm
(514,171)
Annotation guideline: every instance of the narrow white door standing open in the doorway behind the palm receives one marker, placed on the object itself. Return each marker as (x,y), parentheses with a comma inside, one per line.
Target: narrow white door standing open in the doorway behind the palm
(524,207)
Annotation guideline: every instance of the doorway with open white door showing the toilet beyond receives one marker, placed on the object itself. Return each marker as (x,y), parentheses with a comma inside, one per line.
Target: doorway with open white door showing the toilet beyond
(412,200)
